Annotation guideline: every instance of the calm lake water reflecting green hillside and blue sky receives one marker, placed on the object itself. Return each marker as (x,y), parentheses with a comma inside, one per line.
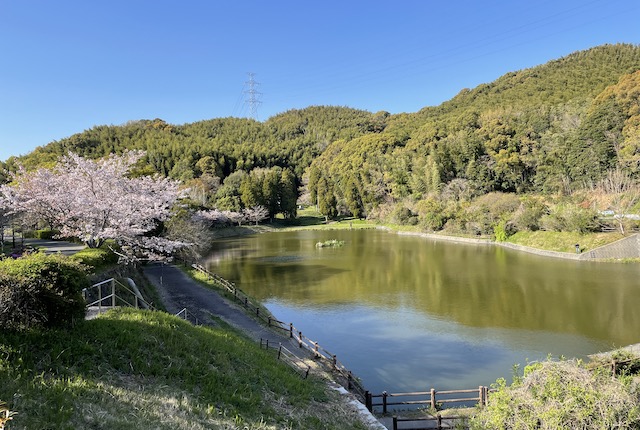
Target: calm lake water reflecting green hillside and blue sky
(406,313)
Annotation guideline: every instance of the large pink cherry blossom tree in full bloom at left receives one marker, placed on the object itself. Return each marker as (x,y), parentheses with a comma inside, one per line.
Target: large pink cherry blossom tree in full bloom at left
(96,200)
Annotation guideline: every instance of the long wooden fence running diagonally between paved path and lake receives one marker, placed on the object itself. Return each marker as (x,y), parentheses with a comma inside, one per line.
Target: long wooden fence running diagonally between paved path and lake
(348,380)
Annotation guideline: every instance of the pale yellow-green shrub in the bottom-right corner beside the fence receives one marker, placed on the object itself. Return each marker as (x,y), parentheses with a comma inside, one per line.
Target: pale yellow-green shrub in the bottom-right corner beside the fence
(560,395)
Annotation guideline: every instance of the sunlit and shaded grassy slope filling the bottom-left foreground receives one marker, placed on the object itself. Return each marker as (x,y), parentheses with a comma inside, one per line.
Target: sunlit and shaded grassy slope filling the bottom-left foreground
(141,370)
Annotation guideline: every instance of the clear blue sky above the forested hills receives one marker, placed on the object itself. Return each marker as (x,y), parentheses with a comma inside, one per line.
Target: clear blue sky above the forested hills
(68,65)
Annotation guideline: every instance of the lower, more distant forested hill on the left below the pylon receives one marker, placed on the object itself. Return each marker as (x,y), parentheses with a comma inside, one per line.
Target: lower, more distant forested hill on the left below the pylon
(224,145)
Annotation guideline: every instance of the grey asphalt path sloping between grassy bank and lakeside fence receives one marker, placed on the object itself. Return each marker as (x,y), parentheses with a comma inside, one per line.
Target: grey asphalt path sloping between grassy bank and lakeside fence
(178,291)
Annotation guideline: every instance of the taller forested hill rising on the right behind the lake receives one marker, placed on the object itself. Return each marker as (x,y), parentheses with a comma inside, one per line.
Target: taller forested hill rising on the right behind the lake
(552,128)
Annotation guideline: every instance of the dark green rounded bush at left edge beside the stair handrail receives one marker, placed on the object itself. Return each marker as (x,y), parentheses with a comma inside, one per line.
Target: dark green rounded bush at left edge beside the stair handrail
(41,290)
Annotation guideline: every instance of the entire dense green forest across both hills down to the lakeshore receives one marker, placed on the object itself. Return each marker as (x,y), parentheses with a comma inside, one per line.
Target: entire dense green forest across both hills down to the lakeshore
(524,146)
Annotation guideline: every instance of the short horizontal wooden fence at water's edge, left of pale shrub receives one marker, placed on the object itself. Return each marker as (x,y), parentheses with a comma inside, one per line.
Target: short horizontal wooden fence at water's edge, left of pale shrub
(432,399)
